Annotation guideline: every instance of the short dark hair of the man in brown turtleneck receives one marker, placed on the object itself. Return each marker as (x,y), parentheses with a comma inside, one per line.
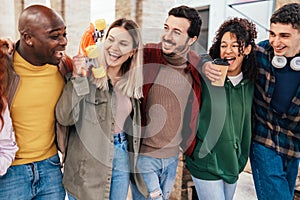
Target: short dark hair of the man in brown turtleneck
(192,15)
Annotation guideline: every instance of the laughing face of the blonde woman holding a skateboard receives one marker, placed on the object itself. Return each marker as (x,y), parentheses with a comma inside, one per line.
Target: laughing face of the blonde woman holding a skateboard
(118,47)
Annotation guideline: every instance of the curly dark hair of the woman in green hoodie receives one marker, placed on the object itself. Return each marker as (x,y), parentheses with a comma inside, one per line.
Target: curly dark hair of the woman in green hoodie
(245,32)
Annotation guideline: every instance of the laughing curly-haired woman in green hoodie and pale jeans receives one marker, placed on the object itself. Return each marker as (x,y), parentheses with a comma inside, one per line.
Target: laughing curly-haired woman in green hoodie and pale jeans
(224,124)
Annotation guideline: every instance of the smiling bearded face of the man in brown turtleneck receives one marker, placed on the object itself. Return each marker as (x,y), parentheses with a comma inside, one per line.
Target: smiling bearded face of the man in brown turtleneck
(174,35)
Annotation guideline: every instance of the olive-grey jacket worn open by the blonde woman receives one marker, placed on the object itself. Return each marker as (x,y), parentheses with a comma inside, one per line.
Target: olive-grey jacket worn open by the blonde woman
(89,113)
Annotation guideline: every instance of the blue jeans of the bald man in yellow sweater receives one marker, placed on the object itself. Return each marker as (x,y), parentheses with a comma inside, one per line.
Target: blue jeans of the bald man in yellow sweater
(39,180)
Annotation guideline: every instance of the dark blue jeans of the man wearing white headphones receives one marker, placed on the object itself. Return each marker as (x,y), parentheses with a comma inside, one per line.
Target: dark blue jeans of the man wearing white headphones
(274,175)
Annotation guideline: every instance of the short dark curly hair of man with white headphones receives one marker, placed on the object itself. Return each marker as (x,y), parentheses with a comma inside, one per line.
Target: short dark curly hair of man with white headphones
(287,14)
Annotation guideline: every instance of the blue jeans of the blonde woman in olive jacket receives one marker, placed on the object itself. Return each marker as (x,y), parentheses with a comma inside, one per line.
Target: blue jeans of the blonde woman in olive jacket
(121,170)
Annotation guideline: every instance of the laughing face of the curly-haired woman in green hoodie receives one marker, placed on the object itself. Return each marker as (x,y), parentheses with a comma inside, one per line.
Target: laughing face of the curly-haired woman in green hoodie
(229,50)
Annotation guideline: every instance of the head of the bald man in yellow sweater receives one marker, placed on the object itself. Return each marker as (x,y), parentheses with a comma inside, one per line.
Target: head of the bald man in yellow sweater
(43,36)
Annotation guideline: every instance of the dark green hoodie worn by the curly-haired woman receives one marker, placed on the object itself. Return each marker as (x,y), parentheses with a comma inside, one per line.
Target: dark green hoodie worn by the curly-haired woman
(224,132)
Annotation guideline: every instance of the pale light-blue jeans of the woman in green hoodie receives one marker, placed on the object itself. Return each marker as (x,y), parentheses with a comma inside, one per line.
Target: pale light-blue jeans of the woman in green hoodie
(214,189)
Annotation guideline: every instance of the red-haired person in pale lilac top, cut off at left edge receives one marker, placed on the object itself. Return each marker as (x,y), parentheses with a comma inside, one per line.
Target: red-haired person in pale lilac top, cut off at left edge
(8,146)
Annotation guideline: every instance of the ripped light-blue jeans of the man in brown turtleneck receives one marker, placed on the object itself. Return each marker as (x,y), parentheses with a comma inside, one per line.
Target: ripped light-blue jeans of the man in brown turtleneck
(159,176)
